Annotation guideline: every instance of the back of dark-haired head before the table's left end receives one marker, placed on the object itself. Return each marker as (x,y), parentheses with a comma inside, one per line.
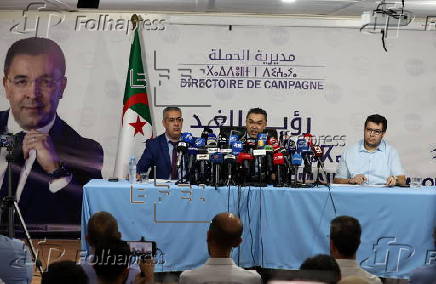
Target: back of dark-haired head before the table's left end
(102,228)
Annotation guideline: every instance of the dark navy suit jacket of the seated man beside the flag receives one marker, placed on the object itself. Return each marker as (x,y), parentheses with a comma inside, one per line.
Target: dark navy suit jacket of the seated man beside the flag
(156,154)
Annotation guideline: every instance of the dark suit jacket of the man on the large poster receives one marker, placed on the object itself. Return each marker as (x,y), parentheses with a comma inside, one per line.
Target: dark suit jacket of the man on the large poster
(82,157)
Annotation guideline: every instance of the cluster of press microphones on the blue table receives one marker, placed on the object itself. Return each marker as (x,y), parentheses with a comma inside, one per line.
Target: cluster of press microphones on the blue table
(235,160)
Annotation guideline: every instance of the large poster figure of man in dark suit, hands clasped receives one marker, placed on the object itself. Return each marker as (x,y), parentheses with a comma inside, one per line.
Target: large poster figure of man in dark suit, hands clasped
(54,161)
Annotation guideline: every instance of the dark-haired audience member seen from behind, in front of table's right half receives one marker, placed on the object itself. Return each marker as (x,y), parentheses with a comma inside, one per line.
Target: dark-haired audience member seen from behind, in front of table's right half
(345,234)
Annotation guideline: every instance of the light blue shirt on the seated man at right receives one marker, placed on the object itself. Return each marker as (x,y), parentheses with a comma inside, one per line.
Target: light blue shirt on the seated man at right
(377,165)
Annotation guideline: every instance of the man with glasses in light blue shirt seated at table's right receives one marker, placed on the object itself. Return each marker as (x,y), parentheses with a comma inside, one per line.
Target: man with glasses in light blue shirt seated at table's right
(371,161)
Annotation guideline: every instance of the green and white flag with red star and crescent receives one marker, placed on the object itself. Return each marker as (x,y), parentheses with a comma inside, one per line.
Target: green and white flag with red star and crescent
(136,124)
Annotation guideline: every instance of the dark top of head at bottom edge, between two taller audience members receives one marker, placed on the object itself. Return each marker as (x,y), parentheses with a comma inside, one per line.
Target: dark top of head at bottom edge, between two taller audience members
(321,263)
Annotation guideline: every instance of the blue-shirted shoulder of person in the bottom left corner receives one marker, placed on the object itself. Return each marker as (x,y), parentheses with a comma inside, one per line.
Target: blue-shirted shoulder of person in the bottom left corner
(15,261)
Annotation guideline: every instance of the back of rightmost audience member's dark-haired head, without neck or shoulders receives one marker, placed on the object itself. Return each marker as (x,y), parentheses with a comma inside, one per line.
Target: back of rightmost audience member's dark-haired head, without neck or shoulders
(345,234)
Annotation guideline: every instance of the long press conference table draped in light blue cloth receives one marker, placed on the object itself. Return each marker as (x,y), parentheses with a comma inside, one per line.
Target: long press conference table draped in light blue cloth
(282,226)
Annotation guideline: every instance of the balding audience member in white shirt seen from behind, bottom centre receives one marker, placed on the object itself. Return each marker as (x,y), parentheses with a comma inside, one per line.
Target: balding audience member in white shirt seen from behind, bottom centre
(224,234)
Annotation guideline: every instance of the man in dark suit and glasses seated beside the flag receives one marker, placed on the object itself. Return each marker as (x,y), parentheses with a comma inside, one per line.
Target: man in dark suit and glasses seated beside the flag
(161,151)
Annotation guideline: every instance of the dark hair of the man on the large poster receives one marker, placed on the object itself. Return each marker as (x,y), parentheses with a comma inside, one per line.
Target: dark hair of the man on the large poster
(35,46)
